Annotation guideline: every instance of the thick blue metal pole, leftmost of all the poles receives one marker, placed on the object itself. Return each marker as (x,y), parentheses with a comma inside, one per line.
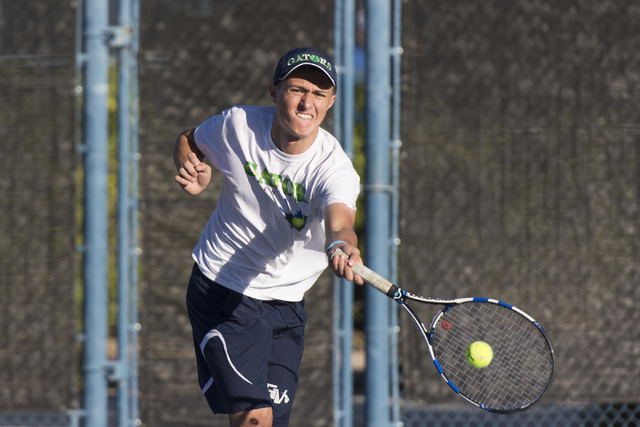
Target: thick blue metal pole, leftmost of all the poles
(96,90)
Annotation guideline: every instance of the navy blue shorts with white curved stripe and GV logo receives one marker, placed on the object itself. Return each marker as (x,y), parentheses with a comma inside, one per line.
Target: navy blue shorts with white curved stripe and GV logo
(248,351)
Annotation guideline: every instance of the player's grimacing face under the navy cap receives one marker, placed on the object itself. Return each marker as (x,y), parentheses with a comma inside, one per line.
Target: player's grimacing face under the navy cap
(302,101)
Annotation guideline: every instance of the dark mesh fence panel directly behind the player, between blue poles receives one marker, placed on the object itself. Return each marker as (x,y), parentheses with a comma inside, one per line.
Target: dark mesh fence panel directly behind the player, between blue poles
(198,58)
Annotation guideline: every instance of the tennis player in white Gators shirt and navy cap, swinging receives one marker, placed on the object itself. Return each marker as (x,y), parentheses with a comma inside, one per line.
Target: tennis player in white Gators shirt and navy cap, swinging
(288,201)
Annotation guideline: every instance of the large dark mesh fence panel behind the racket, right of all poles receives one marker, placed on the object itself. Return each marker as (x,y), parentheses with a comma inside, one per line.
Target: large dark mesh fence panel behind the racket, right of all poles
(520,182)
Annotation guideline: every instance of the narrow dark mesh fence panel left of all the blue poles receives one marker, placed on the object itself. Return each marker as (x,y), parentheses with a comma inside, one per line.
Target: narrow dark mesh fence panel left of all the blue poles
(37,208)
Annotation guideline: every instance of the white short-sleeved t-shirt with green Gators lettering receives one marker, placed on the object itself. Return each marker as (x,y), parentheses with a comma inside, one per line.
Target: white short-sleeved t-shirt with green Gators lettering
(266,237)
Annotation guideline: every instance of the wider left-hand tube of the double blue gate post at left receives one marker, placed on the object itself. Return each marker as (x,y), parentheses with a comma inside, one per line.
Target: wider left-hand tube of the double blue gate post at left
(124,198)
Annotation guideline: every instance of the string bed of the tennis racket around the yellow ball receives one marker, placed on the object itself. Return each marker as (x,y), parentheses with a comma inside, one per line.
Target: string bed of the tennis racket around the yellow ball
(522,365)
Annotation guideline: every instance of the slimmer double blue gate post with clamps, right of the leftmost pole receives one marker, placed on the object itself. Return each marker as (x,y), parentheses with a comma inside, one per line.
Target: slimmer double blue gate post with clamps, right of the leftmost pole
(126,39)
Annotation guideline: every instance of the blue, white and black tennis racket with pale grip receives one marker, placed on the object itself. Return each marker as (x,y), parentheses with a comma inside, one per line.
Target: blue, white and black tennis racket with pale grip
(523,363)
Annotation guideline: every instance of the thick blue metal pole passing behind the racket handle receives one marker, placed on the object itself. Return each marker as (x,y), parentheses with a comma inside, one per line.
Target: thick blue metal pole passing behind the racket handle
(378,114)
